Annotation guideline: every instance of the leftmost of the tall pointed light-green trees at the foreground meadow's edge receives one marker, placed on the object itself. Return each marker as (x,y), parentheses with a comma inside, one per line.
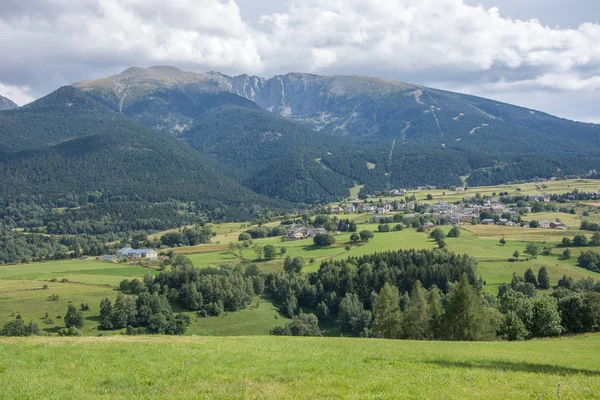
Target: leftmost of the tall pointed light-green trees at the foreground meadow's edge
(388,317)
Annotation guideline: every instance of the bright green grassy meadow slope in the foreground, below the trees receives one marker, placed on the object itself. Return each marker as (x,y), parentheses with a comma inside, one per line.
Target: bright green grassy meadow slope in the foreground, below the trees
(279,367)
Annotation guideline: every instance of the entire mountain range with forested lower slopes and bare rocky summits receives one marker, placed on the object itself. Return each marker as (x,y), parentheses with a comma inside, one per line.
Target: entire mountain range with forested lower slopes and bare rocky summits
(242,145)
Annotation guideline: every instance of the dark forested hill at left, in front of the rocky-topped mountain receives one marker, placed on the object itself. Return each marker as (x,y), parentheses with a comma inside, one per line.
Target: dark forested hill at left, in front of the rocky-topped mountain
(67,149)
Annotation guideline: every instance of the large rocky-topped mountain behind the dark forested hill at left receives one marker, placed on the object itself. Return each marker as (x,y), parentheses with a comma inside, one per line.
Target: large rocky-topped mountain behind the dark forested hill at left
(412,135)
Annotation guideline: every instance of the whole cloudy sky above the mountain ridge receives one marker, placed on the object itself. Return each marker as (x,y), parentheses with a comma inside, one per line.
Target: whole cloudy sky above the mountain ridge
(542,54)
